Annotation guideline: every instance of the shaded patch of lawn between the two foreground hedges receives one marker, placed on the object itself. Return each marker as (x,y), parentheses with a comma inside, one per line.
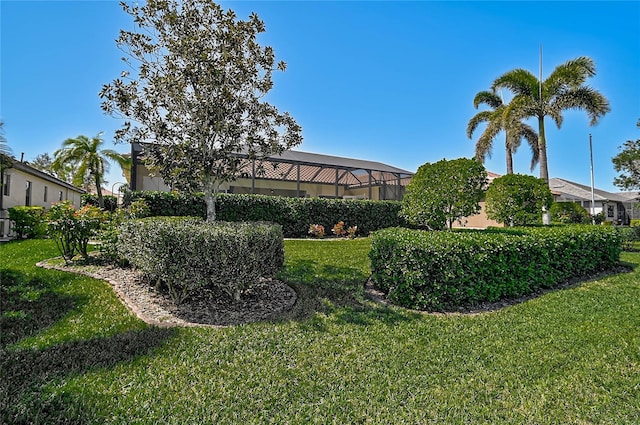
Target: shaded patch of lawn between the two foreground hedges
(334,290)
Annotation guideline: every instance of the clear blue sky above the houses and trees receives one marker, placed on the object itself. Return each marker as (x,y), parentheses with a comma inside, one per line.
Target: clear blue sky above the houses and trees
(385,81)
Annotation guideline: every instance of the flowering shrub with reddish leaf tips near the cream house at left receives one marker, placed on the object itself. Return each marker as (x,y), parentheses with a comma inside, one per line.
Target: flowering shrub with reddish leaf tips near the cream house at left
(71,229)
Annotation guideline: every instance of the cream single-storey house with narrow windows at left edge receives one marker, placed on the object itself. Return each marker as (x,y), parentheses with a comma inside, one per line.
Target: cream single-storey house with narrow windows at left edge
(24,185)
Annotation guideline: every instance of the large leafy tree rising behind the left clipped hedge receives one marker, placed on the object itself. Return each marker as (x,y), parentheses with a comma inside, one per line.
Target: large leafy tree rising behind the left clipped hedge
(196,101)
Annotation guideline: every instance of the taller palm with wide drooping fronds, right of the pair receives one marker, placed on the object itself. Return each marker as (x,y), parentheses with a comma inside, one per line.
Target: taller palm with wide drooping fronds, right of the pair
(564,89)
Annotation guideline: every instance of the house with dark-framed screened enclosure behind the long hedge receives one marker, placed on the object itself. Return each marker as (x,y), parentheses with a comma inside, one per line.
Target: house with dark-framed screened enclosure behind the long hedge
(300,174)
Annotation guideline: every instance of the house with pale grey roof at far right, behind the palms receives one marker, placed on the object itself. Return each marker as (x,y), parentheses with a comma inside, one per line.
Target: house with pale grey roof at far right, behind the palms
(617,207)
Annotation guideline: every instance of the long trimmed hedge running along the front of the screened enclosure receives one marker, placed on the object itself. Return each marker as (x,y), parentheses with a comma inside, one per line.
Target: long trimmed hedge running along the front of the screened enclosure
(295,215)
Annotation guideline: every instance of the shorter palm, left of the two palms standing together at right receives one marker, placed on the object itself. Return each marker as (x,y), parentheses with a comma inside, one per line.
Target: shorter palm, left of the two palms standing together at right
(497,120)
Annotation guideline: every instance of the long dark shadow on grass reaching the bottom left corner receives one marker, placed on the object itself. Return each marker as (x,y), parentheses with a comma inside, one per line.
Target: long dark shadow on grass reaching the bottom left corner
(28,388)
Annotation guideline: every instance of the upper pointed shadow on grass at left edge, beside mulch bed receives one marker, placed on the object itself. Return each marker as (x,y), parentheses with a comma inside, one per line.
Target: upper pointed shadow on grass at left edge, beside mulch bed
(28,306)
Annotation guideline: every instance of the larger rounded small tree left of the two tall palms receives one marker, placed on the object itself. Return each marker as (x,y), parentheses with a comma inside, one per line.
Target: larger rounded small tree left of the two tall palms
(443,192)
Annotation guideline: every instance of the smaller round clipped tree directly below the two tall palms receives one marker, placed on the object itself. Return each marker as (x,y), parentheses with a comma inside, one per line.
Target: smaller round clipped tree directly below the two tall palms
(517,200)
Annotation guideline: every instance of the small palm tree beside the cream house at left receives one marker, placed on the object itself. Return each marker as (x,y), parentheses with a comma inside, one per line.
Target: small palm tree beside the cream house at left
(88,160)
